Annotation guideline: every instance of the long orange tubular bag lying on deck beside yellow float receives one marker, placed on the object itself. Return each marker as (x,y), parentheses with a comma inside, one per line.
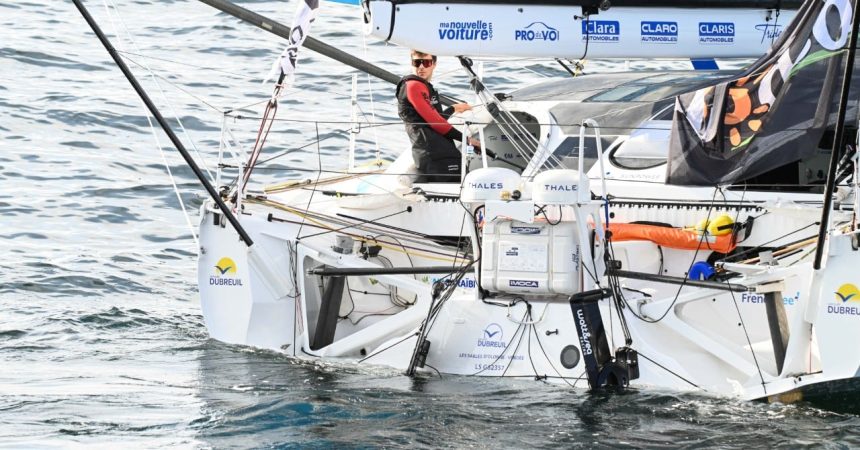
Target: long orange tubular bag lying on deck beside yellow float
(671,237)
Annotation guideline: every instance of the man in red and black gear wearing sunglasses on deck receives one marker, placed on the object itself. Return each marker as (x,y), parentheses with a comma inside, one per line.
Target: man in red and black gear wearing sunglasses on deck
(433,149)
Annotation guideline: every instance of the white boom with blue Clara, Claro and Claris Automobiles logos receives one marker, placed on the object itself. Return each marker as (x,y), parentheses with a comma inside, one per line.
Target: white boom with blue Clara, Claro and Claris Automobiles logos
(582,28)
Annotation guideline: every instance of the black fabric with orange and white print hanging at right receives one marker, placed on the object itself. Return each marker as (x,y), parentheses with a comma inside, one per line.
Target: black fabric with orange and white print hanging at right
(774,113)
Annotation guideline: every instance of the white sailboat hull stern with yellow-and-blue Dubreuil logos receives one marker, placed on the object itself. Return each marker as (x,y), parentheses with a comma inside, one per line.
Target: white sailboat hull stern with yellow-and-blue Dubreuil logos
(711,341)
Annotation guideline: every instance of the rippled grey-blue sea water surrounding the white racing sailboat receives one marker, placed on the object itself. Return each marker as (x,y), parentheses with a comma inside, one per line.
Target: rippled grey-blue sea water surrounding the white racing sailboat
(101,339)
